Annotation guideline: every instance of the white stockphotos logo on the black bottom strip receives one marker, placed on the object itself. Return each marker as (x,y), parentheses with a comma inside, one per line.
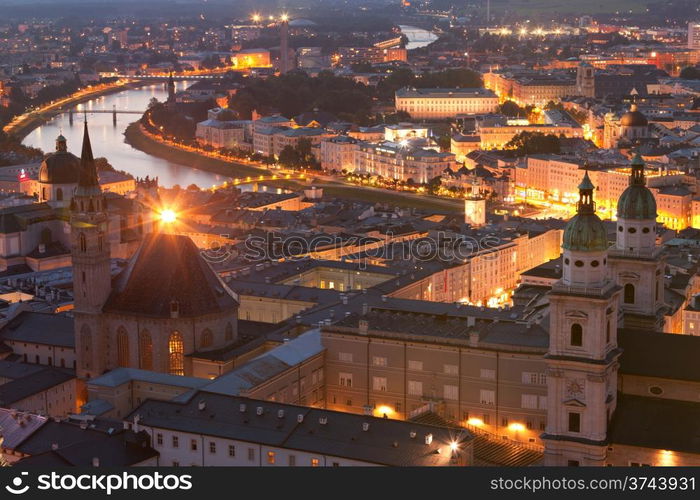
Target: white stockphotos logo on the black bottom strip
(100,483)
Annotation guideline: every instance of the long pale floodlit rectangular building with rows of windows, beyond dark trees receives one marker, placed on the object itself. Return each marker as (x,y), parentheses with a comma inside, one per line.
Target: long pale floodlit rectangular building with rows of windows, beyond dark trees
(438,104)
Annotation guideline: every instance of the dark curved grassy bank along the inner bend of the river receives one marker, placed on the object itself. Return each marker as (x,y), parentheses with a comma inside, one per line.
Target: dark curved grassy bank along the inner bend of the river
(136,138)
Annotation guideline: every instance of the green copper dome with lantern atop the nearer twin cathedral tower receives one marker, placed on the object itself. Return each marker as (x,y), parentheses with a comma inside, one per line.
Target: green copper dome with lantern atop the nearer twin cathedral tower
(585,231)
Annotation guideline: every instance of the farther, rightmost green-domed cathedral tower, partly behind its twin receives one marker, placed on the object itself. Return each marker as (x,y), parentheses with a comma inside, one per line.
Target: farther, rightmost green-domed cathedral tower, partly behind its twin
(636,262)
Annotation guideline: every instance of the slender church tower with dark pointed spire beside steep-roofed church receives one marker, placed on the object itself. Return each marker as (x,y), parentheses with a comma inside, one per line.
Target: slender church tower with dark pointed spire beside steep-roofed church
(91,262)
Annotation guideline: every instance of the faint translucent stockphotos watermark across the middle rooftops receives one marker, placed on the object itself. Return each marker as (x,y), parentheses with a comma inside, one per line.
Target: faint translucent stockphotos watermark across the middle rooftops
(445,247)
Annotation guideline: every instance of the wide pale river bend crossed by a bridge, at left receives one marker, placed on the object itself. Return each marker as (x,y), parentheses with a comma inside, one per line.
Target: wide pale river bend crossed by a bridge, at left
(108,139)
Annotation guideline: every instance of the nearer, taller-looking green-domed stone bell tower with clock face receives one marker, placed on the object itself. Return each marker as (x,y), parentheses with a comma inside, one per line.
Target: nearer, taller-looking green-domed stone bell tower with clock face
(582,358)
